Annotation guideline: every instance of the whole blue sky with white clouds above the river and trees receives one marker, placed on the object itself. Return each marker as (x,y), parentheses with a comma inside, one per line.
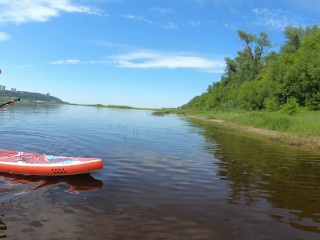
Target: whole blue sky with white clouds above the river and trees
(141,53)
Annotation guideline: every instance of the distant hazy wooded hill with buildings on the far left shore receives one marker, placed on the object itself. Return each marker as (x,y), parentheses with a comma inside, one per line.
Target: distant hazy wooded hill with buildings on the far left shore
(29,96)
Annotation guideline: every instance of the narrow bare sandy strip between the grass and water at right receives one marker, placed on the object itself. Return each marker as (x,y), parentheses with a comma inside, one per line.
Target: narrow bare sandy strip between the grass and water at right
(311,143)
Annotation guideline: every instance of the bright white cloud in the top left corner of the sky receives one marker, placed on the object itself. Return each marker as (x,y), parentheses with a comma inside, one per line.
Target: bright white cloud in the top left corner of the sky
(21,11)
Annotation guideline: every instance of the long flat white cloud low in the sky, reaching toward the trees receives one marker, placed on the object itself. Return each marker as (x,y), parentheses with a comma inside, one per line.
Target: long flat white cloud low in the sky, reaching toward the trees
(152,59)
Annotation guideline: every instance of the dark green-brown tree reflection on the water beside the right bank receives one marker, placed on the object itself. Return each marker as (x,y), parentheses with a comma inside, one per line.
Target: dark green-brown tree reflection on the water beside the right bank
(259,170)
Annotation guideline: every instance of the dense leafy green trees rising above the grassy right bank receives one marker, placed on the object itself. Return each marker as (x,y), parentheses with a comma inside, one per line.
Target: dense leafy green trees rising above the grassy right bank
(258,78)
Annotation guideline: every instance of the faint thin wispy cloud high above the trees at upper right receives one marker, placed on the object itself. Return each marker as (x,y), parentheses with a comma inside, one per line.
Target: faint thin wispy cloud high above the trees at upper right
(276,19)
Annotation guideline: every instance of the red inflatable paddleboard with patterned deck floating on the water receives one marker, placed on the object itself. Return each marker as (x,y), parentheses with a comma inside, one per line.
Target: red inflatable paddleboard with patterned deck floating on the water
(46,165)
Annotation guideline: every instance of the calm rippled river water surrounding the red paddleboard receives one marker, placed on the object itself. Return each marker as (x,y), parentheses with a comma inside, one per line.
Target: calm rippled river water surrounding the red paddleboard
(164,178)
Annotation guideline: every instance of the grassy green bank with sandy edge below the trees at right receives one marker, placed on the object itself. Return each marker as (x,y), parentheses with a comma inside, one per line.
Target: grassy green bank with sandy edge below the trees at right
(301,129)
